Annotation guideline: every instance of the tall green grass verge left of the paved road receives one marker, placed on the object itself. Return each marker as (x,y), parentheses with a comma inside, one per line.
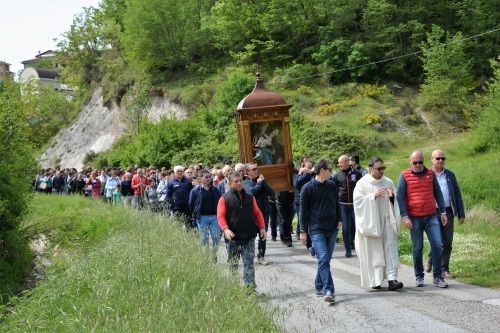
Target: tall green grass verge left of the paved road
(148,275)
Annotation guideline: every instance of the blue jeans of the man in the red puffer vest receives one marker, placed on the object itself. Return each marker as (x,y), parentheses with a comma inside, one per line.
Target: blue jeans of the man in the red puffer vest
(429,224)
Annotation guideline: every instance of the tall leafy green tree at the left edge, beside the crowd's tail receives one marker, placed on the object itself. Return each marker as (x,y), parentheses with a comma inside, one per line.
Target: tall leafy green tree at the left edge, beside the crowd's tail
(24,126)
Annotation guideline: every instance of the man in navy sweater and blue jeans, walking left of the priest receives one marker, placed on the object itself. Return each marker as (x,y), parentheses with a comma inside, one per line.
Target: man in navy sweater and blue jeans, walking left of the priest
(320,217)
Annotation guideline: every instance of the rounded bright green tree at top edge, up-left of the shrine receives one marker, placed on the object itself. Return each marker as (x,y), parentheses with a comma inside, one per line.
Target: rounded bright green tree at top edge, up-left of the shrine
(162,35)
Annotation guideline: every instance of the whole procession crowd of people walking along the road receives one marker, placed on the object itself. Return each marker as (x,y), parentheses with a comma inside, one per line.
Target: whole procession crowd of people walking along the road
(240,205)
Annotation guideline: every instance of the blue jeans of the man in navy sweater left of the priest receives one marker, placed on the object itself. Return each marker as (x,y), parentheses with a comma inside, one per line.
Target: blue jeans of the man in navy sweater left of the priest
(324,245)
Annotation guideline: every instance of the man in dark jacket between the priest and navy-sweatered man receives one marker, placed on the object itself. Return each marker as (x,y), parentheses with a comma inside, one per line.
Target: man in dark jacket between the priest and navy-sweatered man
(346,180)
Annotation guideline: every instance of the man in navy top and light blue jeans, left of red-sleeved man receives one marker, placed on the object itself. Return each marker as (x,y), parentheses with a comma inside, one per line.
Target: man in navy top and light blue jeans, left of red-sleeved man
(203,201)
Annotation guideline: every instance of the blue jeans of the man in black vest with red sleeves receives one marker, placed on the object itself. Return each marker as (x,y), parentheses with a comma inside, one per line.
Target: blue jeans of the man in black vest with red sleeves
(246,249)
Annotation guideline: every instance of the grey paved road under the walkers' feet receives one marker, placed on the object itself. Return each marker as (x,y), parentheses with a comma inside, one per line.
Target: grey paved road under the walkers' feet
(289,280)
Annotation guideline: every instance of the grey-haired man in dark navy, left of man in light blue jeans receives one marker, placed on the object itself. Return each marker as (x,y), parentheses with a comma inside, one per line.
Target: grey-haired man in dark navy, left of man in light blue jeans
(177,195)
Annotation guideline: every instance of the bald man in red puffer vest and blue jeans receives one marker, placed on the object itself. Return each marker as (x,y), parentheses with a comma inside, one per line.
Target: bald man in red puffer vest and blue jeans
(418,193)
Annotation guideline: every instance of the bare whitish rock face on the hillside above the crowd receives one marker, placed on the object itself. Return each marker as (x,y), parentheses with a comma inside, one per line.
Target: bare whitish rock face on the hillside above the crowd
(97,127)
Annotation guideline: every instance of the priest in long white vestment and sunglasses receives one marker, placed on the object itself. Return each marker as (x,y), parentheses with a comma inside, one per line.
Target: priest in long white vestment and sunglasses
(378,224)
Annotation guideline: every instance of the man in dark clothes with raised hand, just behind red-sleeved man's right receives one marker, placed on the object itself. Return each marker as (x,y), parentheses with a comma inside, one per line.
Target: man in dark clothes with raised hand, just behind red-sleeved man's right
(256,185)
